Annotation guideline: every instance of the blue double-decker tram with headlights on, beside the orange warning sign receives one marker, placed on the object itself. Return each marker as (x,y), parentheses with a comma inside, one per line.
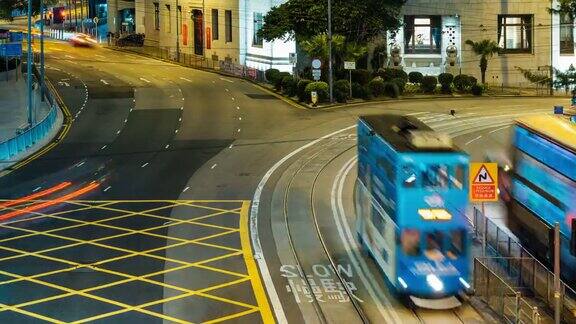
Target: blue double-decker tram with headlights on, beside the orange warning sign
(411,197)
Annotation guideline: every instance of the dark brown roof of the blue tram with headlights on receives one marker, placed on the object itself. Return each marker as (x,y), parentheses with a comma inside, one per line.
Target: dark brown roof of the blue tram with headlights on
(387,125)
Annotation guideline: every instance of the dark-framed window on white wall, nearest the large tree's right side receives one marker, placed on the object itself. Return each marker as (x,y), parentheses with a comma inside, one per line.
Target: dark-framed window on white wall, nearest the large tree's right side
(423,34)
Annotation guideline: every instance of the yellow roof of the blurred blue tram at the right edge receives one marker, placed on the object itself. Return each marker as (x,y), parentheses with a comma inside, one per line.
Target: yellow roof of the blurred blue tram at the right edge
(556,129)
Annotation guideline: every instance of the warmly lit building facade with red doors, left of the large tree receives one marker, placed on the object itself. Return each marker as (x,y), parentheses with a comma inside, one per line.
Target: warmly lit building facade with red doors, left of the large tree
(218,30)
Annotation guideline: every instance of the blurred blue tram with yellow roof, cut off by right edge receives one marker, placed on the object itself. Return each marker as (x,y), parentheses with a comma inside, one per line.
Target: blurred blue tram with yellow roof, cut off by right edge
(543,181)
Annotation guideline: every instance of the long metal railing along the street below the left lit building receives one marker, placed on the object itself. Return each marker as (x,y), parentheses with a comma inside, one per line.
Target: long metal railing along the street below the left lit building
(197,61)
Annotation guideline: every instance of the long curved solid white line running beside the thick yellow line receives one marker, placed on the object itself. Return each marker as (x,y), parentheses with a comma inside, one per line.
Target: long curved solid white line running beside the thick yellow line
(255,236)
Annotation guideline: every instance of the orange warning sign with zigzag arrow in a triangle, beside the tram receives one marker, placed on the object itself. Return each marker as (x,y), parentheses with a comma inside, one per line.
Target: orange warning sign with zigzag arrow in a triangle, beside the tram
(483,182)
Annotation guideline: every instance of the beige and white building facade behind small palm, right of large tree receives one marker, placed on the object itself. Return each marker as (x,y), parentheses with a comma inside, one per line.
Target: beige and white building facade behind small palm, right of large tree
(433,38)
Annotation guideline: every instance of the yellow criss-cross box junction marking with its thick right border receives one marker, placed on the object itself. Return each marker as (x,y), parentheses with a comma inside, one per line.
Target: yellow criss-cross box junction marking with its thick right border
(238,209)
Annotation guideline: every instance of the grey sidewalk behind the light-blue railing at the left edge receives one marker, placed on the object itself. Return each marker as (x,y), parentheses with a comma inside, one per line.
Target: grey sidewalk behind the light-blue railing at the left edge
(13,107)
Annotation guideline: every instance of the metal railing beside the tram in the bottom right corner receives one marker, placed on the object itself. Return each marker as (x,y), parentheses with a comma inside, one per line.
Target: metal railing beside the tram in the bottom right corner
(512,267)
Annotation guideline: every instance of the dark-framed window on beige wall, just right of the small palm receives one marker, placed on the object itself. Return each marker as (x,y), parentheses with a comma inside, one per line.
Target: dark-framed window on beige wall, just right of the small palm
(515,33)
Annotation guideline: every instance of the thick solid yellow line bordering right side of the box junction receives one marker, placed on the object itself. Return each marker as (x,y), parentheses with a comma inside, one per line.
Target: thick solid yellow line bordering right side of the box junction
(257,286)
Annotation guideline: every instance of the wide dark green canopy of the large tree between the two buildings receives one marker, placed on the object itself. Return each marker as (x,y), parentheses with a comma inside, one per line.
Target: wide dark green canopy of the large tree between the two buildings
(357,20)
